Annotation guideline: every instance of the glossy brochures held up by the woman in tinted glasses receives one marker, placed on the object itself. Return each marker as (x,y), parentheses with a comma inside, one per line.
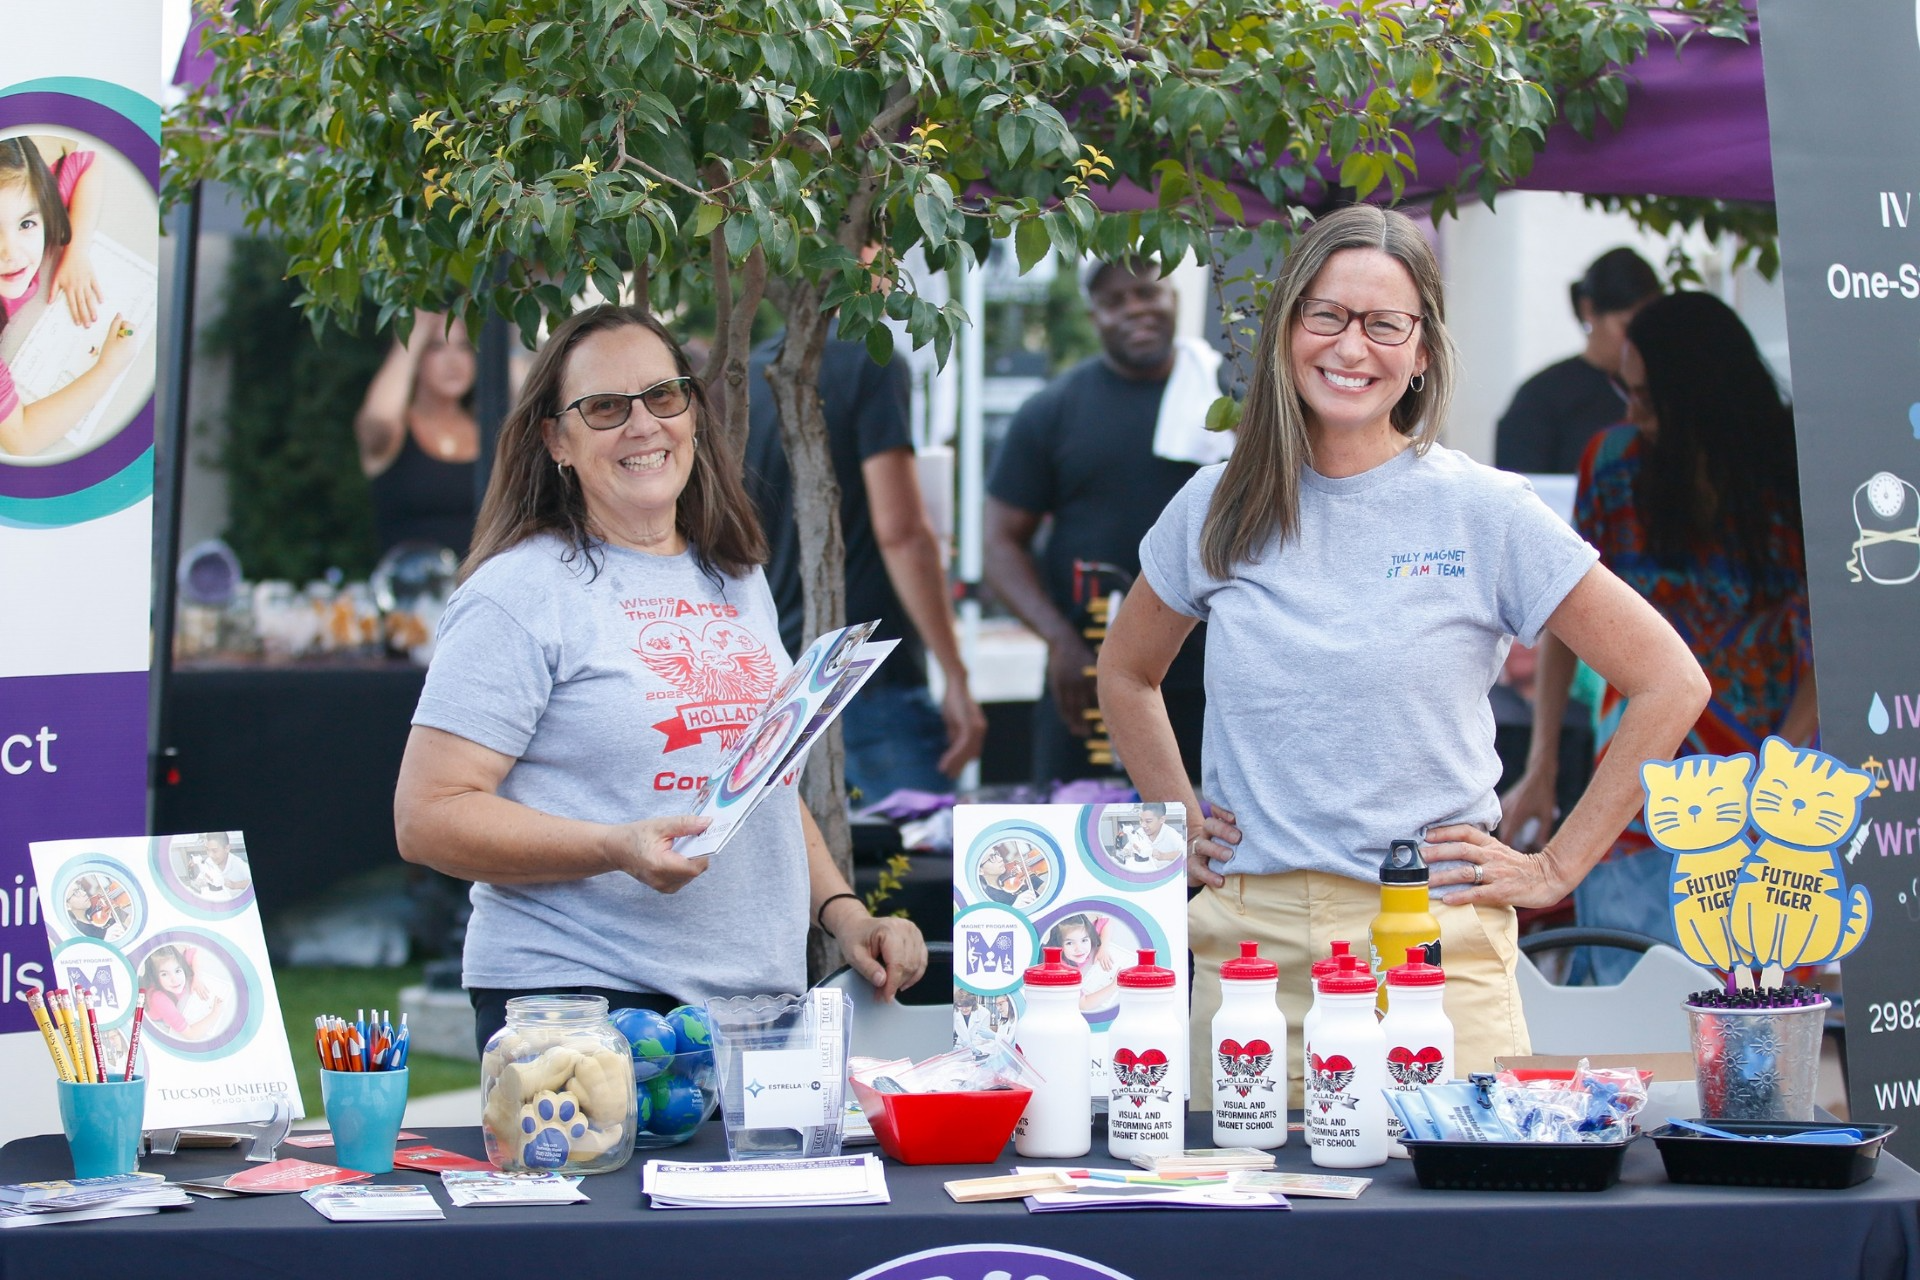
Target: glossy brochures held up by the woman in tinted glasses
(790,723)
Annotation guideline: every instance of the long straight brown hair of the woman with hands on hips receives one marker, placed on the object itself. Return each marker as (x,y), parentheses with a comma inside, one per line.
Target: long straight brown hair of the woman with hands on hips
(1259,494)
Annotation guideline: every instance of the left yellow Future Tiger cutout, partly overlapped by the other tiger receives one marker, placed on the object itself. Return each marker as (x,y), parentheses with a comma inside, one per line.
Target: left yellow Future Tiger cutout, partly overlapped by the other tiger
(1698,813)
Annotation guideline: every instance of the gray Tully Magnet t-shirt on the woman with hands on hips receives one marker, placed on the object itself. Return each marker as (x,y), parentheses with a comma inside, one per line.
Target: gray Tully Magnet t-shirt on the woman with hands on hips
(1347,673)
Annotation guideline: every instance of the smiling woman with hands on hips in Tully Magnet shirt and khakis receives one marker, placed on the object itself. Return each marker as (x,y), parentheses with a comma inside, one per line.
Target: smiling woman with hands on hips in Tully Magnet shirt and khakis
(1362,586)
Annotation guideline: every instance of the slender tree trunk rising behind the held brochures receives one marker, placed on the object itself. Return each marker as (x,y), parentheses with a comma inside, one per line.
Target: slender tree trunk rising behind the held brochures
(794,377)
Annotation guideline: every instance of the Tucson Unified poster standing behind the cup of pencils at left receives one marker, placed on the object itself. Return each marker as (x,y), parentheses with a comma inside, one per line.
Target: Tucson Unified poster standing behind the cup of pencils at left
(172,916)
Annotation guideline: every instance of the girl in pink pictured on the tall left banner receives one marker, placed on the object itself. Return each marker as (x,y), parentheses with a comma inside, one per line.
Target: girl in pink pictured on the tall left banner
(49,212)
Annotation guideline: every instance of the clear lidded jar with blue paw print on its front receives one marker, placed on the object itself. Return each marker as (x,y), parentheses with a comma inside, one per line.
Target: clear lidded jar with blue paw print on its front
(558,1089)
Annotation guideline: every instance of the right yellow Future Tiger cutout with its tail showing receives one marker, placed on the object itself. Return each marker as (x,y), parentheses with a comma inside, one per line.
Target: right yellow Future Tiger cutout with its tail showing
(1792,905)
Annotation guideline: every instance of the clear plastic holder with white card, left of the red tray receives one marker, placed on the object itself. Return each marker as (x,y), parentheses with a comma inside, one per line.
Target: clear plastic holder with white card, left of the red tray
(782,1064)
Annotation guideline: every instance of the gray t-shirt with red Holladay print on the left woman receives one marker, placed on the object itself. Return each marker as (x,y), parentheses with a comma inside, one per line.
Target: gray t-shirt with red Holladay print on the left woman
(617,696)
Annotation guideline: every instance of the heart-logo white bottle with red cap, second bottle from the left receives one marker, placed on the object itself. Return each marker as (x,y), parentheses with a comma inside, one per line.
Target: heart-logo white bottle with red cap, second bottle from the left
(1147,1110)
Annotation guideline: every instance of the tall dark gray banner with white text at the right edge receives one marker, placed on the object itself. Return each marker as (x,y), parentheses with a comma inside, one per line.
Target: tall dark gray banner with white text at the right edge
(1840,80)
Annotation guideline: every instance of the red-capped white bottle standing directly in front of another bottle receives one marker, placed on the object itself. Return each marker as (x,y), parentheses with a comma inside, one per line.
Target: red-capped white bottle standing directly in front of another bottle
(1347,1074)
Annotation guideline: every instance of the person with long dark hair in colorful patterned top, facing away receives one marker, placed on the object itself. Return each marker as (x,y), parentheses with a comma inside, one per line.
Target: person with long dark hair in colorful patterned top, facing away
(1696,506)
